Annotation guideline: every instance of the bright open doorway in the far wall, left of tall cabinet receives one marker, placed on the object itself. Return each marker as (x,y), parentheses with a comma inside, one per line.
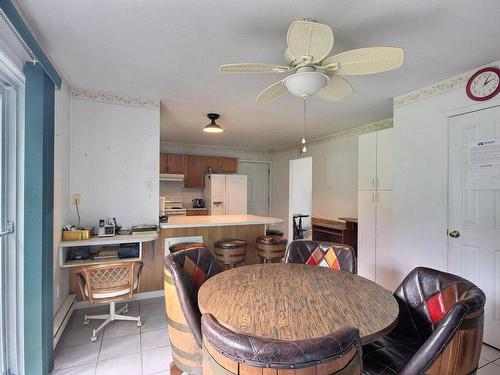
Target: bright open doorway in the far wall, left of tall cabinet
(300,196)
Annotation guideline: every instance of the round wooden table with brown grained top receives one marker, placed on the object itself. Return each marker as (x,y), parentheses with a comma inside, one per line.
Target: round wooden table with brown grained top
(296,301)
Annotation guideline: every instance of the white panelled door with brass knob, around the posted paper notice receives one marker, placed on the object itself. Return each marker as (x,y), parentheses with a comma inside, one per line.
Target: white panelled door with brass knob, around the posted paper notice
(474,216)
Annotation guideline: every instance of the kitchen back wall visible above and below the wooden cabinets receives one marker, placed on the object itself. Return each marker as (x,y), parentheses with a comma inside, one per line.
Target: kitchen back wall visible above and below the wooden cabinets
(188,194)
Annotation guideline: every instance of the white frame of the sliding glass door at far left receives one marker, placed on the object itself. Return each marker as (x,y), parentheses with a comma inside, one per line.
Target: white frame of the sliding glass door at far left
(14,313)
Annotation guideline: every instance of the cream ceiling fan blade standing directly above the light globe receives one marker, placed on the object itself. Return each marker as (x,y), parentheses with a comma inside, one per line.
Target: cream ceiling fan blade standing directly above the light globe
(309,40)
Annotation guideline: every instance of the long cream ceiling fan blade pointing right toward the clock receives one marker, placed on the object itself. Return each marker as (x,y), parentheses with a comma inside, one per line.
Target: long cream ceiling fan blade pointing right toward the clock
(366,60)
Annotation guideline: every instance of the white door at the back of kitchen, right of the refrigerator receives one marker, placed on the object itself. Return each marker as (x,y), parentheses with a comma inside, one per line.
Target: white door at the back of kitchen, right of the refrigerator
(257,187)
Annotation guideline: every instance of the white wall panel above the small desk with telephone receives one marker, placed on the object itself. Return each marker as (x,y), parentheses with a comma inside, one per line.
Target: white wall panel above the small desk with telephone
(115,161)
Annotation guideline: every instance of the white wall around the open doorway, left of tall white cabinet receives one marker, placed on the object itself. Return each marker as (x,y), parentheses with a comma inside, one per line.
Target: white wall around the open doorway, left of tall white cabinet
(334,179)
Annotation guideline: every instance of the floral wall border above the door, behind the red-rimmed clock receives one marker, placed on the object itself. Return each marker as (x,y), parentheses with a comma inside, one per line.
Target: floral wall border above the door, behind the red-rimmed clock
(449,84)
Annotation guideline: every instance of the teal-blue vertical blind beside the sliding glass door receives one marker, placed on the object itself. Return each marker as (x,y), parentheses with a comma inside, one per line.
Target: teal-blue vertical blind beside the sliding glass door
(38,219)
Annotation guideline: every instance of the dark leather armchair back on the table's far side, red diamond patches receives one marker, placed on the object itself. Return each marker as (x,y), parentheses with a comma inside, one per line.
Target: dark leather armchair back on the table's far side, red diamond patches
(328,254)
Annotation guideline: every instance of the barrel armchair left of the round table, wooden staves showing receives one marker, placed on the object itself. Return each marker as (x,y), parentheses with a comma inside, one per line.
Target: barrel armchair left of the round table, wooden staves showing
(184,273)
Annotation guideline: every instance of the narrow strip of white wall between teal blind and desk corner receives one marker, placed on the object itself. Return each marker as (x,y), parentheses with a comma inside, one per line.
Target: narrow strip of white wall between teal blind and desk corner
(62,213)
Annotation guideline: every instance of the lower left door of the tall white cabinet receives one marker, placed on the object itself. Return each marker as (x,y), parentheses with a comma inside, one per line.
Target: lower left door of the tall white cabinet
(367,214)
